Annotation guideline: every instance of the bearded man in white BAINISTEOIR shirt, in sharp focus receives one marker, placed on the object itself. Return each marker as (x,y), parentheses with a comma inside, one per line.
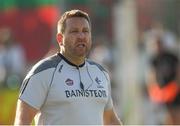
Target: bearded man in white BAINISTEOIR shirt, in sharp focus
(66,88)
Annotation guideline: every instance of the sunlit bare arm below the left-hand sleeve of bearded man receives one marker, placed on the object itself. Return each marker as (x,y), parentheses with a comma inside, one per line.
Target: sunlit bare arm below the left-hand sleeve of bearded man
(24,113)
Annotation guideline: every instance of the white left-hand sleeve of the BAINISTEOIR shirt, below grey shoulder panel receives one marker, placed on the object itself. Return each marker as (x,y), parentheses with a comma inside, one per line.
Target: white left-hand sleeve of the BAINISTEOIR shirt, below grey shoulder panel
(35,88)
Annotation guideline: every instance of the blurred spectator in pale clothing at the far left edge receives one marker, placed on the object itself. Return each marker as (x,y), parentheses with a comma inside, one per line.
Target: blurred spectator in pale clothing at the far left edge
(12,59)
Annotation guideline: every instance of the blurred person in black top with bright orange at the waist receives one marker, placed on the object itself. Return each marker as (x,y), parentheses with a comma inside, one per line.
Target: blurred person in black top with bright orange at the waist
(164,81)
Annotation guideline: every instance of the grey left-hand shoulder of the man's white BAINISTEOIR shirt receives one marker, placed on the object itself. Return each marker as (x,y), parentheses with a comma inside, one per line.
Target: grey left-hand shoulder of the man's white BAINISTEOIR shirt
(46,63)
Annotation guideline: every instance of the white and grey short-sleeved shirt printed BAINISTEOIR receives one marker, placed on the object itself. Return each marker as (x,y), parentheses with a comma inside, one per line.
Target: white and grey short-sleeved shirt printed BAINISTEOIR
(66,94)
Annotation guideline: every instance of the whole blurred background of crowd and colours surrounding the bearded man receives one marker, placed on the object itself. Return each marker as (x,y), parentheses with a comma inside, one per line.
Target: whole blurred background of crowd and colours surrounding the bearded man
(128,39)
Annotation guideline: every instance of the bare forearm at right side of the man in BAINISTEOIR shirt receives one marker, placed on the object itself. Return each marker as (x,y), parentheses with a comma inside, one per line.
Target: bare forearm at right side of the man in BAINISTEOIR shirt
(111,118)
